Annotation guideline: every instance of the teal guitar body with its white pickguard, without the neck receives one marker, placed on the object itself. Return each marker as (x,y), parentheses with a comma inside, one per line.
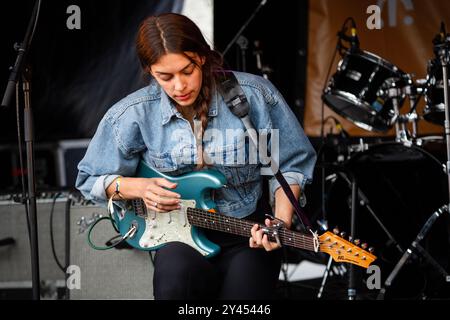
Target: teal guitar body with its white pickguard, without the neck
(153,230)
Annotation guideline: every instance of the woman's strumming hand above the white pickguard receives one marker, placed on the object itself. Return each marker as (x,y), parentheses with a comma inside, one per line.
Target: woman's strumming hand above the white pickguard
(156,197)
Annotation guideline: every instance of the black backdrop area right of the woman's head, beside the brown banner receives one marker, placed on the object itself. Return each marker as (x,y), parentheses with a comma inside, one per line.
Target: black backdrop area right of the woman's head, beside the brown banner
(281,28)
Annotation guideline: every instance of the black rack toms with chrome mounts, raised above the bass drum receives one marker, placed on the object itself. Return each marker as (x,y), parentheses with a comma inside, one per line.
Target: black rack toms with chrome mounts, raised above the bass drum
(370,92)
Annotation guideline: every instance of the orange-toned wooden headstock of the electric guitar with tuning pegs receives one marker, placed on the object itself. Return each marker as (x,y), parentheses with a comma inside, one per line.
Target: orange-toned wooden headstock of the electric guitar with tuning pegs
(345,251)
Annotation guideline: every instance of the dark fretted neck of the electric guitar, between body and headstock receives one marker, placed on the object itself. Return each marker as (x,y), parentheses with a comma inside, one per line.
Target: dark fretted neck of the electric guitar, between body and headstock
(241,227)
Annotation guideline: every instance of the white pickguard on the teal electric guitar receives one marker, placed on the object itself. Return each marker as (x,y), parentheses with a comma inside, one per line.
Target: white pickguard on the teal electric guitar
(170,226)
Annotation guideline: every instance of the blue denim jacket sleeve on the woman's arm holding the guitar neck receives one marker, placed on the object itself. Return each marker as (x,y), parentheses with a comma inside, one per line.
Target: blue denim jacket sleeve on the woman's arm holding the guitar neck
(296,156)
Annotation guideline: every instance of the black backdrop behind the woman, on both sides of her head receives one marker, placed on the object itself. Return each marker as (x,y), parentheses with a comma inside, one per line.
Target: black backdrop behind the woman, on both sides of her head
(79,74)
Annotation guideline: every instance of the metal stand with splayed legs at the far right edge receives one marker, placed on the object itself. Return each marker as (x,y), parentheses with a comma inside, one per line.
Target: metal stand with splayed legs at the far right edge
(443,53)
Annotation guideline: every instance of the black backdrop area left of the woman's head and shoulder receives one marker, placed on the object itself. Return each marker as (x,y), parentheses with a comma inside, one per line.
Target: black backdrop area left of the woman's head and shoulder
(76,74)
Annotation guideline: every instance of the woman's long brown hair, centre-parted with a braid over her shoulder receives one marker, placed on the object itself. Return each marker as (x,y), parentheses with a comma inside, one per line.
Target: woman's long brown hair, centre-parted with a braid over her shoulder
(175,33)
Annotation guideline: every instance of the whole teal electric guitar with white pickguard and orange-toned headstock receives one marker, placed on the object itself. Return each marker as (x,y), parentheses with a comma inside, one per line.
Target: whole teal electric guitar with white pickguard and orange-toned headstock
(148,230)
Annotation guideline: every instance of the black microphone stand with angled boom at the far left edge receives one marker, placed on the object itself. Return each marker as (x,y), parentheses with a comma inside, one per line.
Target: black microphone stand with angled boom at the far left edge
(17,71)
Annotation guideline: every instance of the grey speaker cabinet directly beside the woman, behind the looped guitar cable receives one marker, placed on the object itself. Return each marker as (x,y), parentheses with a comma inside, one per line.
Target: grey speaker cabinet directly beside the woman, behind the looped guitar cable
(106,274)
